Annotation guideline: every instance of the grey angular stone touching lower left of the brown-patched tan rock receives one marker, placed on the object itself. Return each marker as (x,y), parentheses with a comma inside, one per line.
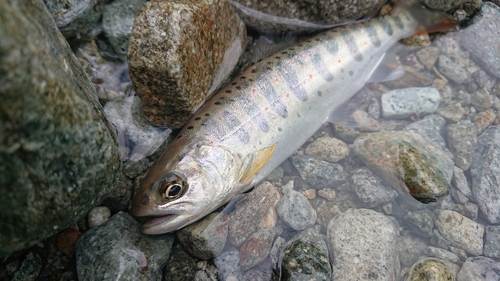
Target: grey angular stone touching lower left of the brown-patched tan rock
(370,188)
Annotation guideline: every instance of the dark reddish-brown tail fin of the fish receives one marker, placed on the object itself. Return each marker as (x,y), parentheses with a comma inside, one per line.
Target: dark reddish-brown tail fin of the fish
(429,21)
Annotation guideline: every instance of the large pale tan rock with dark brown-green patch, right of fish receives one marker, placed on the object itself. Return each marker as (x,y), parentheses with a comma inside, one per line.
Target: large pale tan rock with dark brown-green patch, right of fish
(408,162)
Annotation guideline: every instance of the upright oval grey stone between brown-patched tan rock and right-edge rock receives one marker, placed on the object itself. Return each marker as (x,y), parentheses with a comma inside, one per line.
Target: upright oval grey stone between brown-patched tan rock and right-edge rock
(462,139)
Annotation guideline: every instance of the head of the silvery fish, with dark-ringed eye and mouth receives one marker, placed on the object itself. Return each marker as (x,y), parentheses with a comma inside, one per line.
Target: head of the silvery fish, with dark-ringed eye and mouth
(198,184)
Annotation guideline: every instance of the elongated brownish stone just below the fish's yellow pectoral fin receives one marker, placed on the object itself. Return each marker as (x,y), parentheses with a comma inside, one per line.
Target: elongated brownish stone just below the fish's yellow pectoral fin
(250,211)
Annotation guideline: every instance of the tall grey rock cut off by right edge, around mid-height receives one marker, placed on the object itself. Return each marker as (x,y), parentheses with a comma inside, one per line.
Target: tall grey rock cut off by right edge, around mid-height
(485,174)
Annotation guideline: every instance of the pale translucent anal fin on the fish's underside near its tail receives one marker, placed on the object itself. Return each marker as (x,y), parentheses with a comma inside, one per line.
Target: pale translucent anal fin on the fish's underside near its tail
(386,69)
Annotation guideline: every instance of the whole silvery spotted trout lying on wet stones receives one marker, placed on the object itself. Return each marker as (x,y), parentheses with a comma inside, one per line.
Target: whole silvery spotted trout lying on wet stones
(251,126)
